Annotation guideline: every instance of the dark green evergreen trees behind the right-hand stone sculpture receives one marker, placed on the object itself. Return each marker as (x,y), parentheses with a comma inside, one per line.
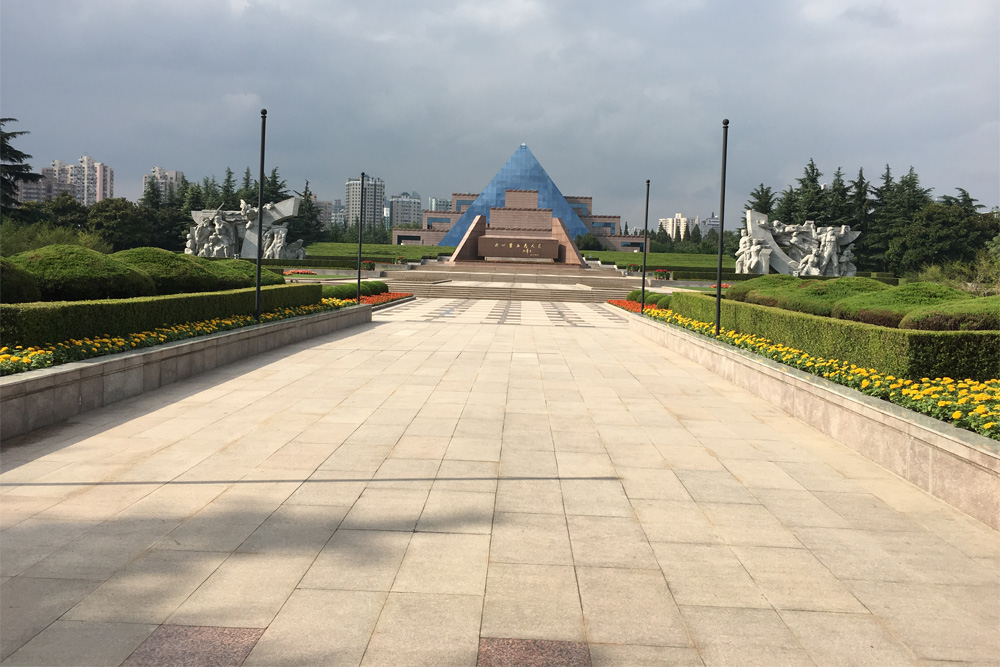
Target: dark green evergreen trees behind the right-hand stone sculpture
(903,228)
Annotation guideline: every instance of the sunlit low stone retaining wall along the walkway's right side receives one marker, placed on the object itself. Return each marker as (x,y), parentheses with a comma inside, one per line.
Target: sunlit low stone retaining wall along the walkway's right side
(960,467)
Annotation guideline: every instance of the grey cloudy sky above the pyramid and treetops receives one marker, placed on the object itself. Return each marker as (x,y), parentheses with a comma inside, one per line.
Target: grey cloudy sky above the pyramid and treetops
(434,96)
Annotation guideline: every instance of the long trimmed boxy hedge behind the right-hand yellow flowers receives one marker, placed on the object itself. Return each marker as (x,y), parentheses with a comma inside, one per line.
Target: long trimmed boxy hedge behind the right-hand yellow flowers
(904,353)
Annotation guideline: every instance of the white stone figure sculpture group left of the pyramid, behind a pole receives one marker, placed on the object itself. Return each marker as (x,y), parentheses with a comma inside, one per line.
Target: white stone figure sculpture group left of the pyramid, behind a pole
(221,233)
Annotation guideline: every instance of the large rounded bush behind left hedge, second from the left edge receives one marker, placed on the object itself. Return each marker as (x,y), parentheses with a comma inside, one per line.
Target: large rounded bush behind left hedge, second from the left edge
(75,273)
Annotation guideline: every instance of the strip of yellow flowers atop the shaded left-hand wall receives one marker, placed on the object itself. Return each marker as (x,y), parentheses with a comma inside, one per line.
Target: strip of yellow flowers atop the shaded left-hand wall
(20,359)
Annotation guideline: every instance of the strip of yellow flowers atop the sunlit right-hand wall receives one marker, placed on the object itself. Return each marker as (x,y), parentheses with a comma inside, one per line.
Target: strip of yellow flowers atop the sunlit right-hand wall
(968,404)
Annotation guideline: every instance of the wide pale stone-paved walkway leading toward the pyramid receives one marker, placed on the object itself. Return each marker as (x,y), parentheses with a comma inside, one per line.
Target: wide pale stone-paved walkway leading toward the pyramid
(441,487)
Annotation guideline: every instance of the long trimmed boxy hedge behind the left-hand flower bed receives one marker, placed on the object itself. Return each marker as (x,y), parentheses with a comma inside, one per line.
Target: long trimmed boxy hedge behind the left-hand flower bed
(46,323)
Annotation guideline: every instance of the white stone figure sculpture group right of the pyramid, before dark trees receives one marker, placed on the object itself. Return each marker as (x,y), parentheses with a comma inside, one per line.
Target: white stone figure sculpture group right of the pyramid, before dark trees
(798,250)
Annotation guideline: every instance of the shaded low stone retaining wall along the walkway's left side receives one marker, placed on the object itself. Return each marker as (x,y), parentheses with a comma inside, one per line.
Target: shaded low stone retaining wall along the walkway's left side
(38,398)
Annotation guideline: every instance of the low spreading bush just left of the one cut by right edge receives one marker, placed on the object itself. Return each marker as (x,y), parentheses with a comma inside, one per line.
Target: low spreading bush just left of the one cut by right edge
(887,308)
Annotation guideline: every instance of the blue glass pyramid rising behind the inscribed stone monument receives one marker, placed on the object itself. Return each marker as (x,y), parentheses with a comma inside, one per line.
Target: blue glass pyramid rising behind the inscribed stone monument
(522,172)
